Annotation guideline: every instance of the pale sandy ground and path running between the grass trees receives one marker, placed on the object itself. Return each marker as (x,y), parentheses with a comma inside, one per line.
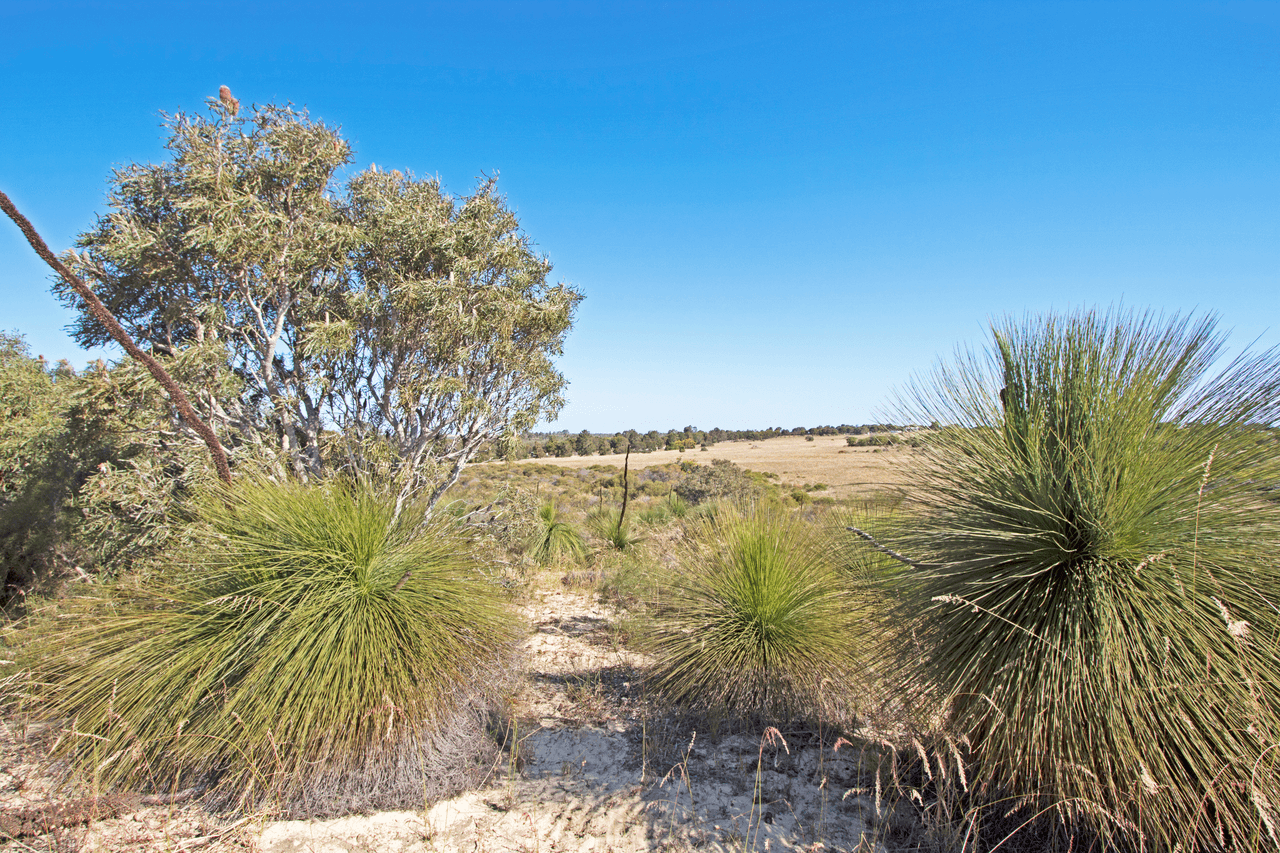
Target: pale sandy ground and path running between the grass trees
(597,770)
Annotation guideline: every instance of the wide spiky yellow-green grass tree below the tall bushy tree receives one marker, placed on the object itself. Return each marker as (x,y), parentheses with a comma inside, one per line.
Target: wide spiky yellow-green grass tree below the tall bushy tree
(316,655)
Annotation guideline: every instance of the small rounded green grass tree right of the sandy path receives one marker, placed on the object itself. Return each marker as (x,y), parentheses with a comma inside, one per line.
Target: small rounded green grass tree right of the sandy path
(756,622)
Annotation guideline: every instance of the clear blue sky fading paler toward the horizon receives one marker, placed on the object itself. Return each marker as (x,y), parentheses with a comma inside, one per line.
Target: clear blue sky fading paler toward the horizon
(778,212)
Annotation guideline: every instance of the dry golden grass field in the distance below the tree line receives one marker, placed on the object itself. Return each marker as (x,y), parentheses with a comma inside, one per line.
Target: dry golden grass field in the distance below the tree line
(849,472)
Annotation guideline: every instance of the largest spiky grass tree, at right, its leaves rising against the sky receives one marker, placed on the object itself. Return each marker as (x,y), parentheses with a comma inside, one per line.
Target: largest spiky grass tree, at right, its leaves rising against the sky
(1098,580)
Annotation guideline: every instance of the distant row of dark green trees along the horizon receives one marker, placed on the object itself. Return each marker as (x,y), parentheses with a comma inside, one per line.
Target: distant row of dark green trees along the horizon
(587,444)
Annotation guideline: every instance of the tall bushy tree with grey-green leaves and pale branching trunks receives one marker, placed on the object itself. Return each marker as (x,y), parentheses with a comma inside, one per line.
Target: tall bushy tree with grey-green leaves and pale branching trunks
(376,326)
